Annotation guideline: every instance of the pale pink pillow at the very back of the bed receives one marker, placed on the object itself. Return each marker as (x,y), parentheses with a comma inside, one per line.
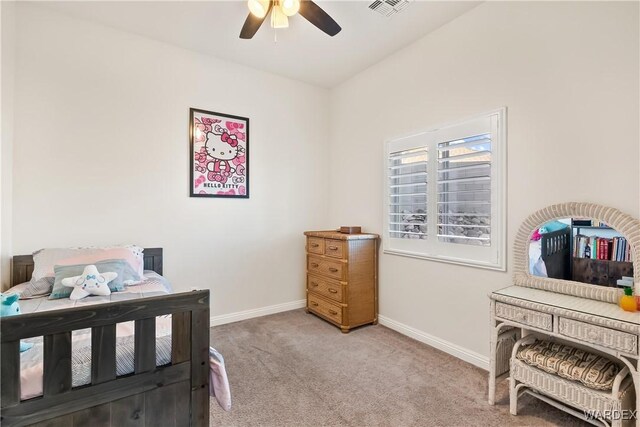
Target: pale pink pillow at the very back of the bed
(45,259)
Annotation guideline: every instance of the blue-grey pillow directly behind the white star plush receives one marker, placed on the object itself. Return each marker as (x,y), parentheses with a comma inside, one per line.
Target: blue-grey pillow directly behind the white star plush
(121,267)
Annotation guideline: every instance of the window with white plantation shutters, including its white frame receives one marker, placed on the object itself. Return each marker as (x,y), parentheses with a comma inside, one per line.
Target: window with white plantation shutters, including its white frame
(445,193)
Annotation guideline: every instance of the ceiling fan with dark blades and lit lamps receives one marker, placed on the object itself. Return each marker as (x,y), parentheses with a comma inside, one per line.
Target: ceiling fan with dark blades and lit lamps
(281,10)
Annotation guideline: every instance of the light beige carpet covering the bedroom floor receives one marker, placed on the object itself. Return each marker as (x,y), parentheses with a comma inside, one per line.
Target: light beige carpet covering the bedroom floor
(293,369)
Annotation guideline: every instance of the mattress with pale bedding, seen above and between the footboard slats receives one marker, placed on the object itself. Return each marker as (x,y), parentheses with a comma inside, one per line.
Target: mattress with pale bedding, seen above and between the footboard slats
(31,360)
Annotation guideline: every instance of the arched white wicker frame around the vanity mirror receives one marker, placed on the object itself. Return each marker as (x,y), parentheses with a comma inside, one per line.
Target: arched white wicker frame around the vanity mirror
(625,224)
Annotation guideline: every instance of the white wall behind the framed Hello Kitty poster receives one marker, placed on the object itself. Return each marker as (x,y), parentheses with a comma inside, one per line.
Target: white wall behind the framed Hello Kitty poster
(101,156)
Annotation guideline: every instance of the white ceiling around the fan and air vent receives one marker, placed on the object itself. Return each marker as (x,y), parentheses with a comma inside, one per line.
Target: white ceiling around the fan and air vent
(301,52)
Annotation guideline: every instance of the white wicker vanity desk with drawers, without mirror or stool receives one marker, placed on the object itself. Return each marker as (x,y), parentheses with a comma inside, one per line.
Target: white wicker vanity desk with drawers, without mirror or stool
(517,311)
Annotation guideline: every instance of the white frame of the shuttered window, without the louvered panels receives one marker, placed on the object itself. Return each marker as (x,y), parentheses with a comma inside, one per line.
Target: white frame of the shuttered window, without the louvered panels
(492,257)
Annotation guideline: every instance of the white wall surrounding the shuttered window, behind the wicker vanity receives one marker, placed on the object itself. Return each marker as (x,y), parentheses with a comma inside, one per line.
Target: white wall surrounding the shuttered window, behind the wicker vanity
(568,73)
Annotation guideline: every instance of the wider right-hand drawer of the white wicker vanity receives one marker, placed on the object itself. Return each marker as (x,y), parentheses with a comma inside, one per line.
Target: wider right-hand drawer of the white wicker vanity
(599,335)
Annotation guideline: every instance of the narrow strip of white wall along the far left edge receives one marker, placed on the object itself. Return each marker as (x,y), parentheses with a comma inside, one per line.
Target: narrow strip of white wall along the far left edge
(7,56)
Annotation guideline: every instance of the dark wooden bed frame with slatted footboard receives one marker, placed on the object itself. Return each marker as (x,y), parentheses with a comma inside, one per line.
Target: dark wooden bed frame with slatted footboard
(176,394)
